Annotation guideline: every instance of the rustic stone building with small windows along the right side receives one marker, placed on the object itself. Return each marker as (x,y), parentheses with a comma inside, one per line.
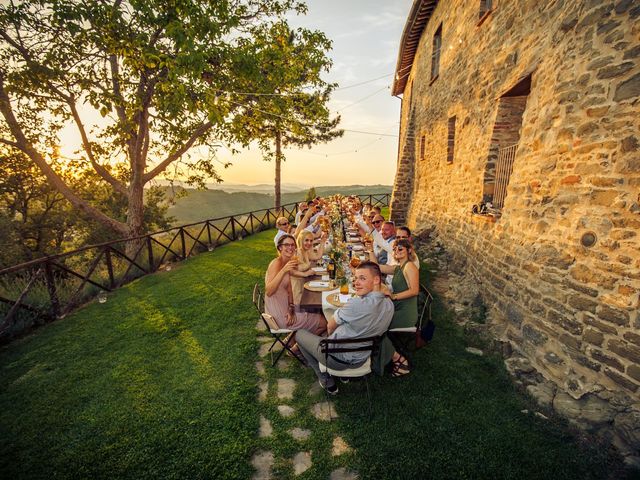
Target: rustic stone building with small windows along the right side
(533,108)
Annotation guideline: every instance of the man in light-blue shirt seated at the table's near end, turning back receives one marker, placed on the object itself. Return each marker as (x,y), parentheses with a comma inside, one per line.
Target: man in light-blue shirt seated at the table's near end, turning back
(367,315)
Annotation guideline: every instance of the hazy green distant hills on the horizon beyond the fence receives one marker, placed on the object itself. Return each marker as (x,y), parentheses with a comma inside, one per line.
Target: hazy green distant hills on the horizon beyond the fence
(203,204)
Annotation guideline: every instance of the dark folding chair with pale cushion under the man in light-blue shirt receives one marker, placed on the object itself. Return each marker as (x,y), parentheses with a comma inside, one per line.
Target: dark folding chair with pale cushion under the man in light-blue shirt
(330,346)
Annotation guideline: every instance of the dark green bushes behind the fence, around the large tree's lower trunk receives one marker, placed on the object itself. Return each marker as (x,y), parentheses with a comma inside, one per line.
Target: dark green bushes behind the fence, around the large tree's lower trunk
(36,220)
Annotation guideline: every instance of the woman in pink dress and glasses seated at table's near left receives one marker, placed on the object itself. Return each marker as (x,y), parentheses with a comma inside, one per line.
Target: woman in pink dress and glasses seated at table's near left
(279,301)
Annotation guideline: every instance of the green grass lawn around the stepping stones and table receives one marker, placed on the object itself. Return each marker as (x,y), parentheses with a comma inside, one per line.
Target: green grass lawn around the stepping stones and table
(160,382)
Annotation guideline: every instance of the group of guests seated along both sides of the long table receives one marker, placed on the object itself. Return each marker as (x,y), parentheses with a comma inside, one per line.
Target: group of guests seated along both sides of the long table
(379,306)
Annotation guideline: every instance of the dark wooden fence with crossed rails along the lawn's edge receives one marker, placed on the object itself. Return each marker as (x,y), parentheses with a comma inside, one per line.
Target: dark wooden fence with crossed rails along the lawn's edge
(47,288)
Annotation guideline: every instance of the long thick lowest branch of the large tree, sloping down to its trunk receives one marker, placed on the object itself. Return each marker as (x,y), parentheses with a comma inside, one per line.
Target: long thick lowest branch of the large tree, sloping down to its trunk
(25,146)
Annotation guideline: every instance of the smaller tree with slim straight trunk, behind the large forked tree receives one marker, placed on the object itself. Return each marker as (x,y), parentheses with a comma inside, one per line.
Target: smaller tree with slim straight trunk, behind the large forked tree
(289,105)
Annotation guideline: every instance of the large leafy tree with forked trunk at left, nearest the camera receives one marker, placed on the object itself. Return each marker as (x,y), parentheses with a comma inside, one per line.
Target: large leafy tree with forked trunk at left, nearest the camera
(150,68)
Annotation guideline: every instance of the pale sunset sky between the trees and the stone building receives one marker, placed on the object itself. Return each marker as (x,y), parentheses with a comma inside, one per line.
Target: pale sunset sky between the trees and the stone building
(366,36)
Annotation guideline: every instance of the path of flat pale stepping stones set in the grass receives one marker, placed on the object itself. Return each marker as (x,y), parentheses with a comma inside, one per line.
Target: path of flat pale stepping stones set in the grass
(282,395)
